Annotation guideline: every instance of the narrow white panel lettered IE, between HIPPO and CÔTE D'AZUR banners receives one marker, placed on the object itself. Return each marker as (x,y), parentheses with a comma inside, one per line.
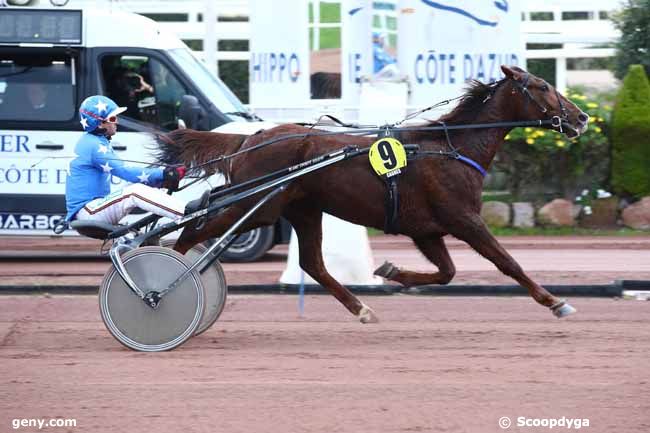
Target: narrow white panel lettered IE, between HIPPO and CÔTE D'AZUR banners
(356,47)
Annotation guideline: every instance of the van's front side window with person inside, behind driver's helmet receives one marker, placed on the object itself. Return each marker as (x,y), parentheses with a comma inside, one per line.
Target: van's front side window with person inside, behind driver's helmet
(149,90)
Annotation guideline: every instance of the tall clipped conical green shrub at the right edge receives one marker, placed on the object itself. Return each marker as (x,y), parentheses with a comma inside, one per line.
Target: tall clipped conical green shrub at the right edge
(631,136)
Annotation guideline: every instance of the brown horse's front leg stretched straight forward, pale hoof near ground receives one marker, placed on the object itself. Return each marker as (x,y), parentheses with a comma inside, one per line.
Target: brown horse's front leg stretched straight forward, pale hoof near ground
(474,231)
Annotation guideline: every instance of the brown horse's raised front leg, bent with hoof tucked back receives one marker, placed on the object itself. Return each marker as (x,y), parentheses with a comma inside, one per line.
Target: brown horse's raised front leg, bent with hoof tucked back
(435,250)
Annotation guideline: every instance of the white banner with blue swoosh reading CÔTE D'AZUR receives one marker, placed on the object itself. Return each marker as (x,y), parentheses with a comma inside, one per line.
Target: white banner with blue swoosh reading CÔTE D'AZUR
(443,44)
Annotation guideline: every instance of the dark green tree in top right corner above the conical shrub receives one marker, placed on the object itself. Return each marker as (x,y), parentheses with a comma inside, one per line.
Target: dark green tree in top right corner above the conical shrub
(634,46)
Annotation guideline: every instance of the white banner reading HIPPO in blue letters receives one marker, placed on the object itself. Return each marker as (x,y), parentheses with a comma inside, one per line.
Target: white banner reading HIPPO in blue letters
(279,47)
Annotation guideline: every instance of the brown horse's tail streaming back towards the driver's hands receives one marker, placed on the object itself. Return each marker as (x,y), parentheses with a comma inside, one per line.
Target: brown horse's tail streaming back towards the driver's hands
(196,148)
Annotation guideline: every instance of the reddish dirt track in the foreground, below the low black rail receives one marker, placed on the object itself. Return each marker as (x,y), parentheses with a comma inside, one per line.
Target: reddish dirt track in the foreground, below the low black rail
(431,365)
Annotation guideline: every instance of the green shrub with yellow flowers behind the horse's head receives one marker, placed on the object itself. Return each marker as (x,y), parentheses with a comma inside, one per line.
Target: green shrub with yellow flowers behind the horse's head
(542,164)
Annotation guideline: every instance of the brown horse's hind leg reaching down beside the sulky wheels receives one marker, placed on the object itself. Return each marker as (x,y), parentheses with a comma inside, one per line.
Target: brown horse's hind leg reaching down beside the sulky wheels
(307,222)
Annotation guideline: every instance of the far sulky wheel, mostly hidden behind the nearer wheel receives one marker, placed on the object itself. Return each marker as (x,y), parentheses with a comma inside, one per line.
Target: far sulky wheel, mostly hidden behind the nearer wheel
(214,284)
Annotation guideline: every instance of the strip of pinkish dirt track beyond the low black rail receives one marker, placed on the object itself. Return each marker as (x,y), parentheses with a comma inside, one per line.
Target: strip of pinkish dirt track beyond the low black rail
(548,260)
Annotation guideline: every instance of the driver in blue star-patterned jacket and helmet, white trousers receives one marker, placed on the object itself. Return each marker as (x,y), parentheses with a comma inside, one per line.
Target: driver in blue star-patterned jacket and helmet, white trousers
(88,195)
